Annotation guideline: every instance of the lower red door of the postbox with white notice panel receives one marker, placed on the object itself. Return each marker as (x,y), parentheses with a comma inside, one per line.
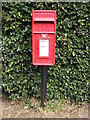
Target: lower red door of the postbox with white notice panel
(44,49)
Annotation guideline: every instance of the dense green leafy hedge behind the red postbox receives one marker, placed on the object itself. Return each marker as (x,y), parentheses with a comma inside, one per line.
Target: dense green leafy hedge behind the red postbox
(69,77)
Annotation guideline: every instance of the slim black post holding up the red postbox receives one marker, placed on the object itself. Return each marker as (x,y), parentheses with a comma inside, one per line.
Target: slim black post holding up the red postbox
(43,85)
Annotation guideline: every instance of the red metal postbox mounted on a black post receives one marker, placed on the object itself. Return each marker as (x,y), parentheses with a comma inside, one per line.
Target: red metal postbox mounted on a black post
(43,37)
